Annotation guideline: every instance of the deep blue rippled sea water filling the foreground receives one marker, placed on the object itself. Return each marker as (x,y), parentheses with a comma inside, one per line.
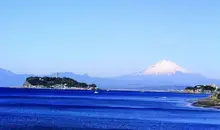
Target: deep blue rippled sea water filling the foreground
(32,109)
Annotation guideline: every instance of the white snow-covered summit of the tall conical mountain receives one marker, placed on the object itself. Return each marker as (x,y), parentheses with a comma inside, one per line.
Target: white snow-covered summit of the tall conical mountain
(163,67)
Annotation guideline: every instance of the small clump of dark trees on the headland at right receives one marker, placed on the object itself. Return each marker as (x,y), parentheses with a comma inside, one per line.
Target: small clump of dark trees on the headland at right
(202,89)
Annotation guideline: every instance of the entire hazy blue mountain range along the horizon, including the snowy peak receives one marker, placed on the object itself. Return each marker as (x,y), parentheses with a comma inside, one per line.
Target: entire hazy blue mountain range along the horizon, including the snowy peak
(162,75)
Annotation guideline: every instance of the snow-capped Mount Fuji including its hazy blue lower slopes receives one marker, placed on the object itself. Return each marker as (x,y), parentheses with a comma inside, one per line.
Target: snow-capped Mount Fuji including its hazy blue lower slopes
(167,73)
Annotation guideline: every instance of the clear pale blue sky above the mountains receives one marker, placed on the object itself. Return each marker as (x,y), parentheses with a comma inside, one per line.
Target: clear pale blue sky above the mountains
(109,37)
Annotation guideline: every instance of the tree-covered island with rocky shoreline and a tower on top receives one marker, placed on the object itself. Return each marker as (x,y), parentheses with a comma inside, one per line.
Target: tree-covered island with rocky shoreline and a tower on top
(57,83)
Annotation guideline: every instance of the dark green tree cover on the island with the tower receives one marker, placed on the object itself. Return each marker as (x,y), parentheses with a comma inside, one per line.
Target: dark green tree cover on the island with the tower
(51,82)
